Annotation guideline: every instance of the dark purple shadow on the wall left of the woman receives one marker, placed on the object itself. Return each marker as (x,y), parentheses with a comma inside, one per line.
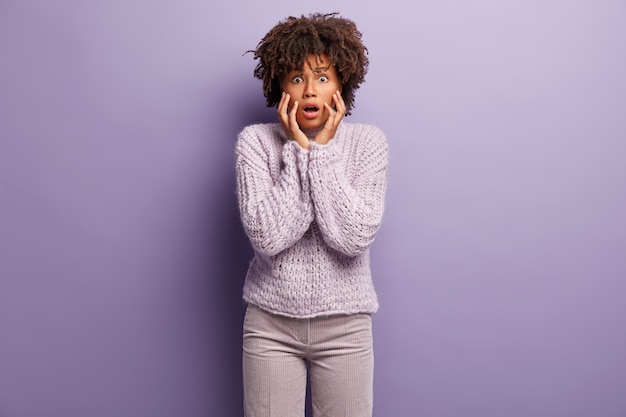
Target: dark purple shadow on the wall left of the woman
(231,255)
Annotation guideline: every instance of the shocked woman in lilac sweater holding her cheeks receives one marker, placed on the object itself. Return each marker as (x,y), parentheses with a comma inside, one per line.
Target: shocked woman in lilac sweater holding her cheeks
(311,194)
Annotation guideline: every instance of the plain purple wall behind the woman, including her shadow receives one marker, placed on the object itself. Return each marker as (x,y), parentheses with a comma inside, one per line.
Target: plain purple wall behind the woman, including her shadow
(500,265)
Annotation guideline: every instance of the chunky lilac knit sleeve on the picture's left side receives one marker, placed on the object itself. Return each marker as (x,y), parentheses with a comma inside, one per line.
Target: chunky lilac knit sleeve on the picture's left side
(274,197)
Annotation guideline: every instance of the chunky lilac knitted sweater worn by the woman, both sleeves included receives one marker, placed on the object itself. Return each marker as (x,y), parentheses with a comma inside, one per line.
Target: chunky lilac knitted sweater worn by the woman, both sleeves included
(311,216)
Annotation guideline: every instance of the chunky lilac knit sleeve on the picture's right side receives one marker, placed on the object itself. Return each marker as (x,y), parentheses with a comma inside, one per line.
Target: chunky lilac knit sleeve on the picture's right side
(349,211)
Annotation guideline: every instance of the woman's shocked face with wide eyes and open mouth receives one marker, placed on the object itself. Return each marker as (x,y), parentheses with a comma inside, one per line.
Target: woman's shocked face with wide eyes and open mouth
(312,86)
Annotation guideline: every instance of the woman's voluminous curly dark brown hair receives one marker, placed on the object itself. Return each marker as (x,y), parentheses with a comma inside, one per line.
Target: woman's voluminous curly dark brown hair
(288,44)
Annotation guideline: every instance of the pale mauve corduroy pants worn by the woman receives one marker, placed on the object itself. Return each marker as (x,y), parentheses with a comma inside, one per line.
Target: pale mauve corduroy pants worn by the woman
(340,354)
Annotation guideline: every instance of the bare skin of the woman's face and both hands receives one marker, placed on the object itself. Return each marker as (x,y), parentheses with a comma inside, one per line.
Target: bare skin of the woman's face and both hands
(318,87)
